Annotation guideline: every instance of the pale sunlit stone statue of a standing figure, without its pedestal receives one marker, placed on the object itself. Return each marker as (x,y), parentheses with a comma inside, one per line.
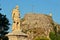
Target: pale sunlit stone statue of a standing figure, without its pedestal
(16,19)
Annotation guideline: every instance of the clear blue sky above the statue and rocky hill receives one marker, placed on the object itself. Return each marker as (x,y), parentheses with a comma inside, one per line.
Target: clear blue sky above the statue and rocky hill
(36,6)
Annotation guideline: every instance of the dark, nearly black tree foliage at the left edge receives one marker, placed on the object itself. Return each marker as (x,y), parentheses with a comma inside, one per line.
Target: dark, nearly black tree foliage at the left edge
(4,26)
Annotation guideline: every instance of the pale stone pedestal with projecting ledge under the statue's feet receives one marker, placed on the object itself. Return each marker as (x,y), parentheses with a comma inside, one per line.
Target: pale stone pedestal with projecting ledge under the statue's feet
(17,35)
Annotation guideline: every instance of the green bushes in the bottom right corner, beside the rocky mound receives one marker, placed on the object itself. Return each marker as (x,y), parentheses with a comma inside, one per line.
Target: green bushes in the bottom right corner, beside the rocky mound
(54,35)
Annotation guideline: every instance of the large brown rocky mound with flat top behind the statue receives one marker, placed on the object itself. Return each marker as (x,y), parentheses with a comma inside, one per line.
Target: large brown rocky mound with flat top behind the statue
(37,24)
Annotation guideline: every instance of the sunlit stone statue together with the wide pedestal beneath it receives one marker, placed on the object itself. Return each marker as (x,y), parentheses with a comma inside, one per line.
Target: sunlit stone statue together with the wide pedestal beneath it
(16,33)
